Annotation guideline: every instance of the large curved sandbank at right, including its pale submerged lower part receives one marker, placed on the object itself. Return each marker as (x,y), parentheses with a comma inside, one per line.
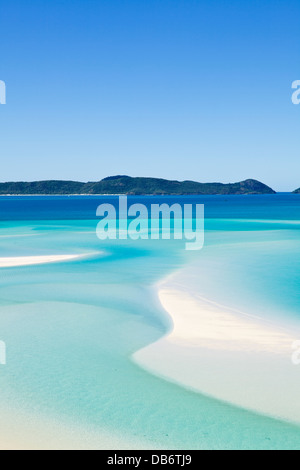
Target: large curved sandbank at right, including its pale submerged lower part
(234,357)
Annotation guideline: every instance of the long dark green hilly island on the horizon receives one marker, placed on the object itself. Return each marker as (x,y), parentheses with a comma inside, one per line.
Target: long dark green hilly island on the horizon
(133,186)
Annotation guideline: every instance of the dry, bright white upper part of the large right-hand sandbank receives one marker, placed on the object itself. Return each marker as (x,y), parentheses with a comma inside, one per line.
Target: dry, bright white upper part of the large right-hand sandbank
(202,323)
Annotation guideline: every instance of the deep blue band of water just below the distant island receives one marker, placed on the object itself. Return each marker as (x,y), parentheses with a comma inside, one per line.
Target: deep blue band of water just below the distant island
(283,206)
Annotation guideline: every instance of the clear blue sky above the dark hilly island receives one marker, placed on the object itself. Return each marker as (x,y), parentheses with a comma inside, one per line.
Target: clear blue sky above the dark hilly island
(183,89)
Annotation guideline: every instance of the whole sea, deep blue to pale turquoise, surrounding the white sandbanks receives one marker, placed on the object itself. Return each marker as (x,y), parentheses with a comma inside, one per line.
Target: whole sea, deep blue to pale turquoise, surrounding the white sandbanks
(72,327)
